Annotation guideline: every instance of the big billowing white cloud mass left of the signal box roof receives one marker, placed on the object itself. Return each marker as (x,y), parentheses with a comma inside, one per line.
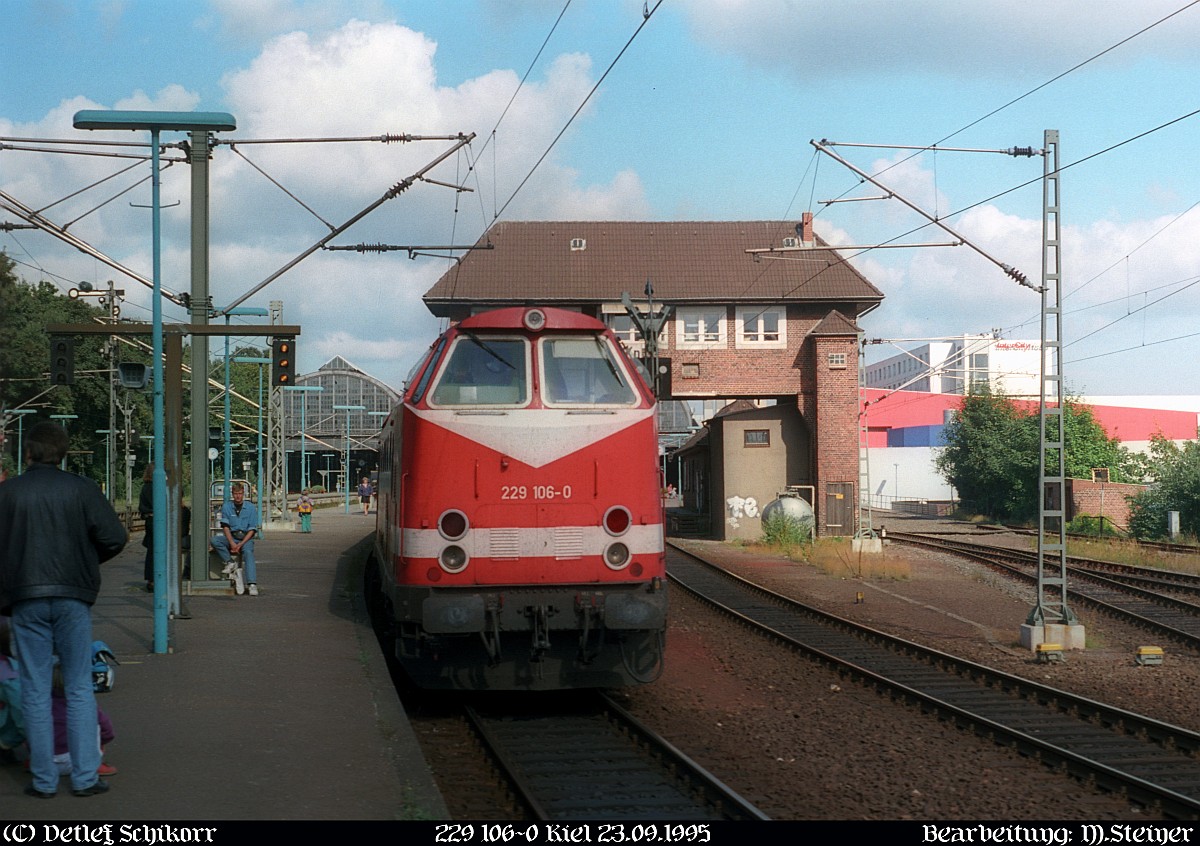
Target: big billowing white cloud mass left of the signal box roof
(358,80)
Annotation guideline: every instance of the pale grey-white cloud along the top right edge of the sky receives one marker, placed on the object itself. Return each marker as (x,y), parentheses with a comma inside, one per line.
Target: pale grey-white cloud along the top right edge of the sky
(819,41)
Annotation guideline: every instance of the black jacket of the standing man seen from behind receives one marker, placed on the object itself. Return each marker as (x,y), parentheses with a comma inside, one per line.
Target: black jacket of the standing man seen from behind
(56,530)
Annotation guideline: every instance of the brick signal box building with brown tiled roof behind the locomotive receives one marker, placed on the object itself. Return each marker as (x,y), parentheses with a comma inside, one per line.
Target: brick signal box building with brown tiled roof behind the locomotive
(775,326)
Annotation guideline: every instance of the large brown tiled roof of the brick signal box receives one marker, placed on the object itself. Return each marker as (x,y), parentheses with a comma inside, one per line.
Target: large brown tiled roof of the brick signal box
(687,262)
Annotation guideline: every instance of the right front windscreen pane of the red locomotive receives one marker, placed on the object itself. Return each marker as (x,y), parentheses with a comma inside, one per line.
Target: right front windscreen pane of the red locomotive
(584,373)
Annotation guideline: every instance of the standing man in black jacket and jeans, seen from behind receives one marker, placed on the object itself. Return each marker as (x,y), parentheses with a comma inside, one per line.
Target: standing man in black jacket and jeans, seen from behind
(56,530)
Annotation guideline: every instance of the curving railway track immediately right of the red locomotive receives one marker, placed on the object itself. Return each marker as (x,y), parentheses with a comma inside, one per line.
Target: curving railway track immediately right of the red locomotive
(1155,764)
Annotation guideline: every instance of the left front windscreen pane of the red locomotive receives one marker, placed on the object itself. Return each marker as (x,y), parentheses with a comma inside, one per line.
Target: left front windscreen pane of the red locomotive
(484,371)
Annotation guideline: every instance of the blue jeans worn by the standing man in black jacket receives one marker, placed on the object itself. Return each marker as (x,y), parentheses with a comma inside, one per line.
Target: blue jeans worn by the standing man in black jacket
(45,628)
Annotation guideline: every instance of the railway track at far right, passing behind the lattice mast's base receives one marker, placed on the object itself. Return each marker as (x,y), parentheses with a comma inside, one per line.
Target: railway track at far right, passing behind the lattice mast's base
(1139,596)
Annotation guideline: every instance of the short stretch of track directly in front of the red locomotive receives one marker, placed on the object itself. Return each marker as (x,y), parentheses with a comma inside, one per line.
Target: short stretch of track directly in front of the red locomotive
(587,759)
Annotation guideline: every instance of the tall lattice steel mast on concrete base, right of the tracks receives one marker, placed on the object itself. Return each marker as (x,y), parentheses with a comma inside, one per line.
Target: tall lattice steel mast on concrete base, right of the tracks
(1052,605)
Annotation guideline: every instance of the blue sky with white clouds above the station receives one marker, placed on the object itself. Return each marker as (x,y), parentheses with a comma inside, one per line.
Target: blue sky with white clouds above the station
(611,110)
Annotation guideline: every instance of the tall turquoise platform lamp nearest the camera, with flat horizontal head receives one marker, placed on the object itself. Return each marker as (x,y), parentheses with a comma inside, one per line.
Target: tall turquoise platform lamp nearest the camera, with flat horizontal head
(158,122)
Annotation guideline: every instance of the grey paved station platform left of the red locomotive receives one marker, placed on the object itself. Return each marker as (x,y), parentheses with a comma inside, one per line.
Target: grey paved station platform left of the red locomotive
(269,707)
